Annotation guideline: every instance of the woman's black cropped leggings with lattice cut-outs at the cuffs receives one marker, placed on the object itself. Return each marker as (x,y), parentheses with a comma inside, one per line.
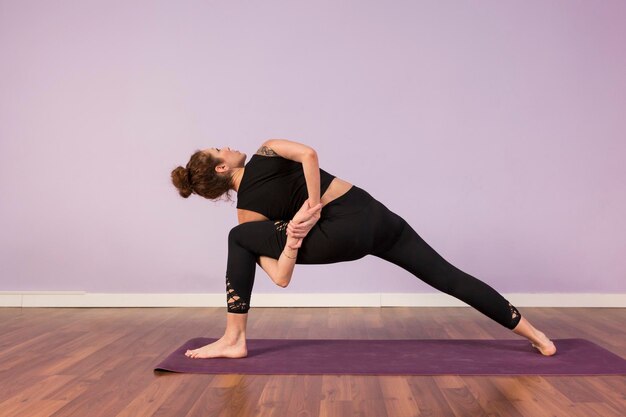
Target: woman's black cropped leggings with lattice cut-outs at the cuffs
(350,227)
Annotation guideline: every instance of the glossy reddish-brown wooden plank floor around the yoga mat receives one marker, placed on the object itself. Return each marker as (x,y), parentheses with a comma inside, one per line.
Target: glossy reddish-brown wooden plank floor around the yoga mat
(98,362)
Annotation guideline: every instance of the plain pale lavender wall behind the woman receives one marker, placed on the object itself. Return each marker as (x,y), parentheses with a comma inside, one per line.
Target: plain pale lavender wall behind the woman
(497,129)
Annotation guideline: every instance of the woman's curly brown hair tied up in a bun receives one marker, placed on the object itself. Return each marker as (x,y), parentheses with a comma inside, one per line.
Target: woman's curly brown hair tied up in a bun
(201,178)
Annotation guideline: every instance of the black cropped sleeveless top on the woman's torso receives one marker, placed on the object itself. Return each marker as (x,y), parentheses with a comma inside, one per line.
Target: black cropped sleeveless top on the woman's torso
(275,186)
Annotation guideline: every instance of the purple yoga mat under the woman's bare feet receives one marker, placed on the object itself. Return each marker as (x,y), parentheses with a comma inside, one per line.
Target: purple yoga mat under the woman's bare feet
(402,357)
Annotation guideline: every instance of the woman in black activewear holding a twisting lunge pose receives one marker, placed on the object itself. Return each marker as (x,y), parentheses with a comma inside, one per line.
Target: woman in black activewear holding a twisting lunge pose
(331,221)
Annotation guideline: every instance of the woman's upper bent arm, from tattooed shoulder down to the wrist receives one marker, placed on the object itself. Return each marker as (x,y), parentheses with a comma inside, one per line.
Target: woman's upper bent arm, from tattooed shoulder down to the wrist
(307,156)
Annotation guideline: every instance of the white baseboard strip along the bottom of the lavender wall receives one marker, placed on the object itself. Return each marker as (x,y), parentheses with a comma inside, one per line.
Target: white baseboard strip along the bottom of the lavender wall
(85,299)
